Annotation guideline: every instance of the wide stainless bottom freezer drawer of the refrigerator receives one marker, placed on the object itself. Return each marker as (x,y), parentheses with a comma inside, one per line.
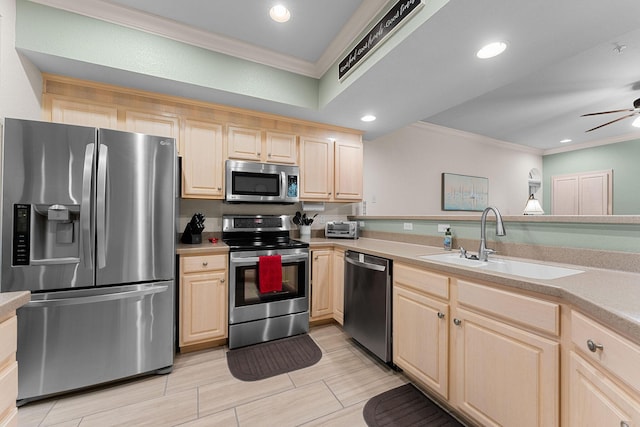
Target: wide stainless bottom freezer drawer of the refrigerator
(83,337)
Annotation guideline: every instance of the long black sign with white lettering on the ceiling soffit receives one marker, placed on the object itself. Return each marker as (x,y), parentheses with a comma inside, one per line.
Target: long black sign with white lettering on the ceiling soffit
(389,22)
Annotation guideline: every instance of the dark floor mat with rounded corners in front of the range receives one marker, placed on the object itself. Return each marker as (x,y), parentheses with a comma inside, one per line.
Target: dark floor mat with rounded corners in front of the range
(260,361)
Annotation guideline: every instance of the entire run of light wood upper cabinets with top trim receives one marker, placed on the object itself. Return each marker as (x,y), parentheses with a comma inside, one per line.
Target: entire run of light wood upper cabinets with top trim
(330,157)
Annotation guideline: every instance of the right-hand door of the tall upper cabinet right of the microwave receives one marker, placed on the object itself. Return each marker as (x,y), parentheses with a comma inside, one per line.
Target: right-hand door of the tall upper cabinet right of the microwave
(348,171)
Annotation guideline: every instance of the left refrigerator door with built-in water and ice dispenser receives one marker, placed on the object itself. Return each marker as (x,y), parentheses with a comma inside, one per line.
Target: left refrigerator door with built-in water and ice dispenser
(47,177)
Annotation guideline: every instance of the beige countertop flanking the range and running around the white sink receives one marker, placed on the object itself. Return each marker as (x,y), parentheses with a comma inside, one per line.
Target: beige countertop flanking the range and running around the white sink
(611,296)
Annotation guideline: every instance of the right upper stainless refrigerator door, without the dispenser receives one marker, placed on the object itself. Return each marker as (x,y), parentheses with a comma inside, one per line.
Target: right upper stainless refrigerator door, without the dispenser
(135,208)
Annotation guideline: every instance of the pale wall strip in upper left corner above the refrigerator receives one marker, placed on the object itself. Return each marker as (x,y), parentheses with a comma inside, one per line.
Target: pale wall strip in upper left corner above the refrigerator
(20,80)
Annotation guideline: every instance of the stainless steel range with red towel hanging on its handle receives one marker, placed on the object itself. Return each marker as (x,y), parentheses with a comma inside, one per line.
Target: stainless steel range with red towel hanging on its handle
(268,279)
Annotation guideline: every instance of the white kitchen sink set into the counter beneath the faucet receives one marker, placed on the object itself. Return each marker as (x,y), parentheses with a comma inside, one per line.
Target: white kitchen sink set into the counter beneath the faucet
(517,268)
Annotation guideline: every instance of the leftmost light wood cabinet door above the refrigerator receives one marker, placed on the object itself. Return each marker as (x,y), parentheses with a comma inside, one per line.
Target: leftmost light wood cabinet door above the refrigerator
(75,112)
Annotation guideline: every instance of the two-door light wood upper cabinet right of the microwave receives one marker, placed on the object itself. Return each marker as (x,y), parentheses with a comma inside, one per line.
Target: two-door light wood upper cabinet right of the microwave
(331,170)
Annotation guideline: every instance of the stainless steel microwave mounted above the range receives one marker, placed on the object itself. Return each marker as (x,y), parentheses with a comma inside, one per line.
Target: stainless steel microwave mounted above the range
(252,182)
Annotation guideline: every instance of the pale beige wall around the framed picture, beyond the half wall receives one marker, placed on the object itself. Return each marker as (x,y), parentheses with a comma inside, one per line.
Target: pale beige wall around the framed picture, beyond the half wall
(402,170)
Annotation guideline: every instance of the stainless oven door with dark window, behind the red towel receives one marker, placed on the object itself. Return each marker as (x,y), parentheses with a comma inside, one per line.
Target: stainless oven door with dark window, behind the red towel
(247,303)
